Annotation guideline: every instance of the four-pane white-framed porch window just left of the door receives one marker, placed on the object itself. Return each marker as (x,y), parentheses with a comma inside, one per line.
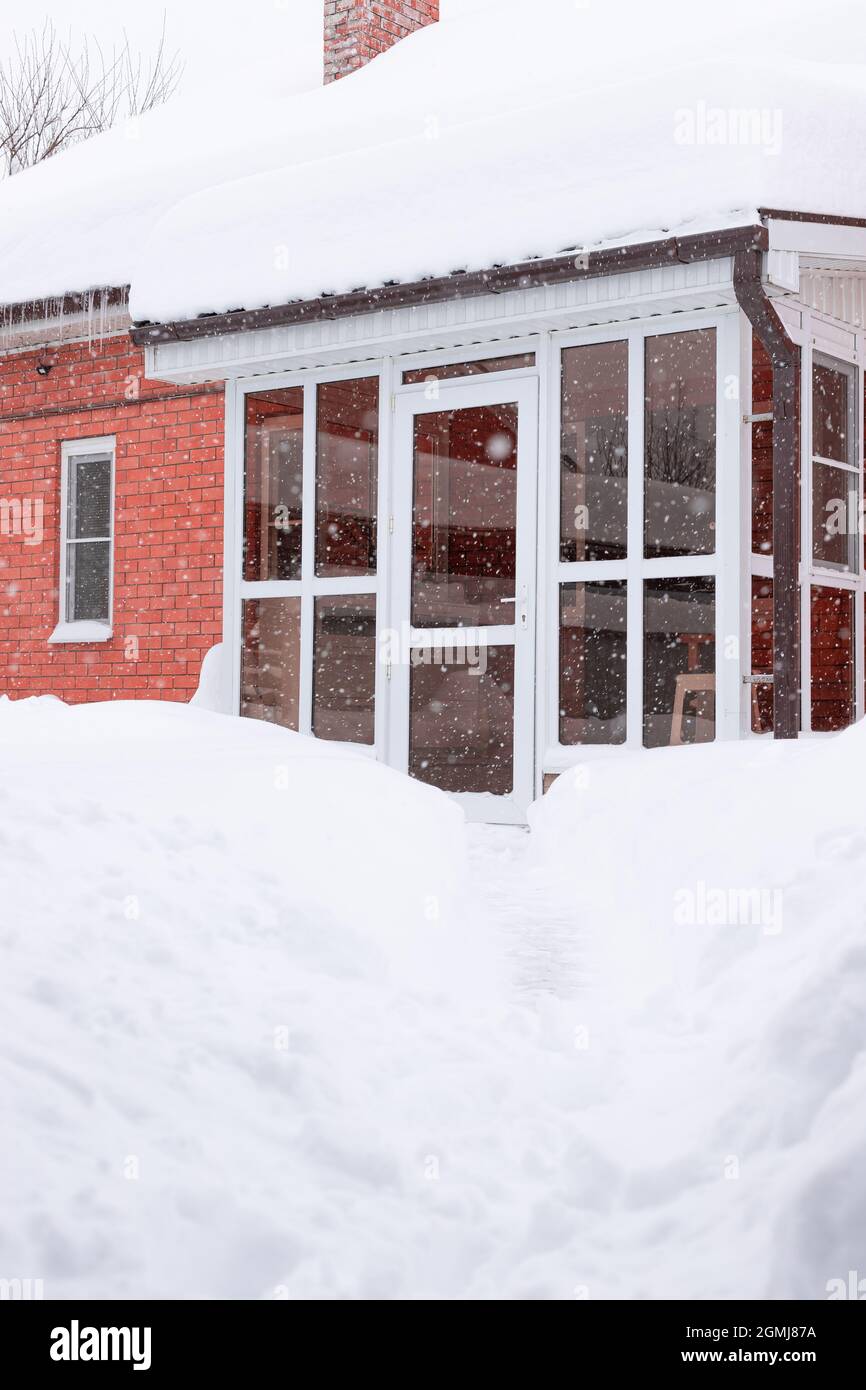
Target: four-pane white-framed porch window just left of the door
(309,557)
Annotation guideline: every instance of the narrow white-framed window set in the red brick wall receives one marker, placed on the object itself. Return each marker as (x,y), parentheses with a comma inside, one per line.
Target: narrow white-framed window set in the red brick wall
(87,540)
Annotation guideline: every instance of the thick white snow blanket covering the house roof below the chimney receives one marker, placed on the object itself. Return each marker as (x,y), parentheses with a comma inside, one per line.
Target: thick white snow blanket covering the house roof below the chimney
(508,131)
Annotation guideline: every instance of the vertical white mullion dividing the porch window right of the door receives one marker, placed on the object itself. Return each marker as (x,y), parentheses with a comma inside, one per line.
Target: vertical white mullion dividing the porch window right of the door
(635,593)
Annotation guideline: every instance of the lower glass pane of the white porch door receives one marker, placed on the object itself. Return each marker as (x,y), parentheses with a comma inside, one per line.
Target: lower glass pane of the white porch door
(462,722)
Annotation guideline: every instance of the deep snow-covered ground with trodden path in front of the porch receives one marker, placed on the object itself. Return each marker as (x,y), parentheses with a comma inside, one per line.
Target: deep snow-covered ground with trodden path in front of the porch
(277,1025)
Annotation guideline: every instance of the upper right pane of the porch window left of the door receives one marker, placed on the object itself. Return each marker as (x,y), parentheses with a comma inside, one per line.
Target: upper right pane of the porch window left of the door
(347,476)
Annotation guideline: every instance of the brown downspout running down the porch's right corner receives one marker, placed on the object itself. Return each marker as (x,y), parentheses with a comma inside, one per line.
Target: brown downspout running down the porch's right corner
(786,480)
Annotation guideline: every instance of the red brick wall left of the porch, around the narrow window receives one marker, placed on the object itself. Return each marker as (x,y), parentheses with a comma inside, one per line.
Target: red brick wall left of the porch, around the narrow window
(168,525)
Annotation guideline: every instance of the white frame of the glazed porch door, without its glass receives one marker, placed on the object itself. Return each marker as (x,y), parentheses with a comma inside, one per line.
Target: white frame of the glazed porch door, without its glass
(466,394)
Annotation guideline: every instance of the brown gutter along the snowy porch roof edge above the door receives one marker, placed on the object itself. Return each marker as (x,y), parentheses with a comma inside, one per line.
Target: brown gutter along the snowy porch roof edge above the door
(569,266)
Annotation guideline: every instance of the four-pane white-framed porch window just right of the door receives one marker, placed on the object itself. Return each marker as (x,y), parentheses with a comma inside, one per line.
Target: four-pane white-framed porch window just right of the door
(637,575)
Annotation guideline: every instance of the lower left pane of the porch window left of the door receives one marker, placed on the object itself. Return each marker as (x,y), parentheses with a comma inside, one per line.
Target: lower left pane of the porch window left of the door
(270,667)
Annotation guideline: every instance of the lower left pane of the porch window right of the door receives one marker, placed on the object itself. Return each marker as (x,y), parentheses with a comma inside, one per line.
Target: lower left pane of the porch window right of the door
(593,664)
